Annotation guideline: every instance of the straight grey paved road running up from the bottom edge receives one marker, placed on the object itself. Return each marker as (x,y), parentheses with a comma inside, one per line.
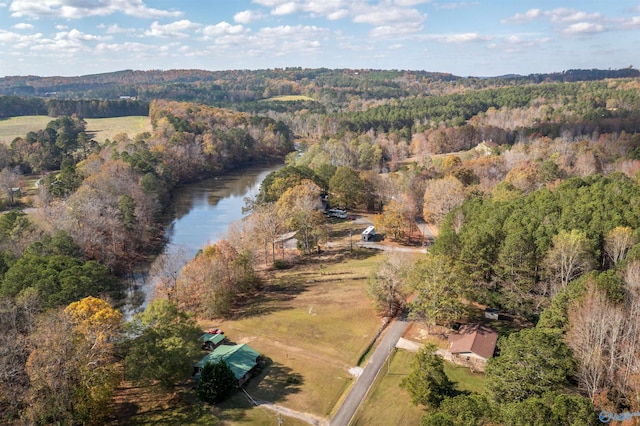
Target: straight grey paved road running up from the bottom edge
(359,389)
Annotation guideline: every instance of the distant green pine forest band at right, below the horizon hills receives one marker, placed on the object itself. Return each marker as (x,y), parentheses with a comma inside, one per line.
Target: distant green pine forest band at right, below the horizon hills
(577,102)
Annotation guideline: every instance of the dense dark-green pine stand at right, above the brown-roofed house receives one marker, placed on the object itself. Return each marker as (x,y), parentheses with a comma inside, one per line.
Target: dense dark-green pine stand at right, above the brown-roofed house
(510,249)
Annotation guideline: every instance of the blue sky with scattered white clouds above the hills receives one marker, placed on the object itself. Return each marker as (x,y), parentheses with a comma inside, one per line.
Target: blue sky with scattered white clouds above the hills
(480,38)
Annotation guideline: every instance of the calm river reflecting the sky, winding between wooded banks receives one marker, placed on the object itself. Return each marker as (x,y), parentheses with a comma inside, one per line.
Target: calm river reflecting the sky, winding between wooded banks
(200,213)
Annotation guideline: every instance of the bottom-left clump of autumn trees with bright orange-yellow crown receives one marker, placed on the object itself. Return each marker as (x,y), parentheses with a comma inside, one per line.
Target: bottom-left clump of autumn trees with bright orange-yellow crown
(72,368)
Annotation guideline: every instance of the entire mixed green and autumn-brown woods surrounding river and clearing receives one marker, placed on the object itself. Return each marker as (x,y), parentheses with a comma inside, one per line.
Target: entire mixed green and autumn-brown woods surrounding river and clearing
(532,182)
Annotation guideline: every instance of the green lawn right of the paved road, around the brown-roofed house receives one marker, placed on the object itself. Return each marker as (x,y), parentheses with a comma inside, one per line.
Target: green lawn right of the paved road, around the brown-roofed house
(388,404)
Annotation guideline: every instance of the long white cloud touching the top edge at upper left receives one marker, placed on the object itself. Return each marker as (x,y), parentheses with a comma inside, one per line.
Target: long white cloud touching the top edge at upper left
(76,9)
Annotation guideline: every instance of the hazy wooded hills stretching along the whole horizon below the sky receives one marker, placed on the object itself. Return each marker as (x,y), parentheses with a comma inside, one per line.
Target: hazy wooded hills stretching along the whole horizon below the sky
(328,86)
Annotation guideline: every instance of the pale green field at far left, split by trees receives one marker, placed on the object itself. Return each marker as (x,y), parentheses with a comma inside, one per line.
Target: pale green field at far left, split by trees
(99,129)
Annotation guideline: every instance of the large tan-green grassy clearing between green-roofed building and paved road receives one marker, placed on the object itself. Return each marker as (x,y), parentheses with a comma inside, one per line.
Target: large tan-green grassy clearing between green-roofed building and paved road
(313,321)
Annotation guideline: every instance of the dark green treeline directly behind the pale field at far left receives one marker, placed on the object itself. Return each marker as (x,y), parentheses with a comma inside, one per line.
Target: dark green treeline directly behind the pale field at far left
(15,106)
